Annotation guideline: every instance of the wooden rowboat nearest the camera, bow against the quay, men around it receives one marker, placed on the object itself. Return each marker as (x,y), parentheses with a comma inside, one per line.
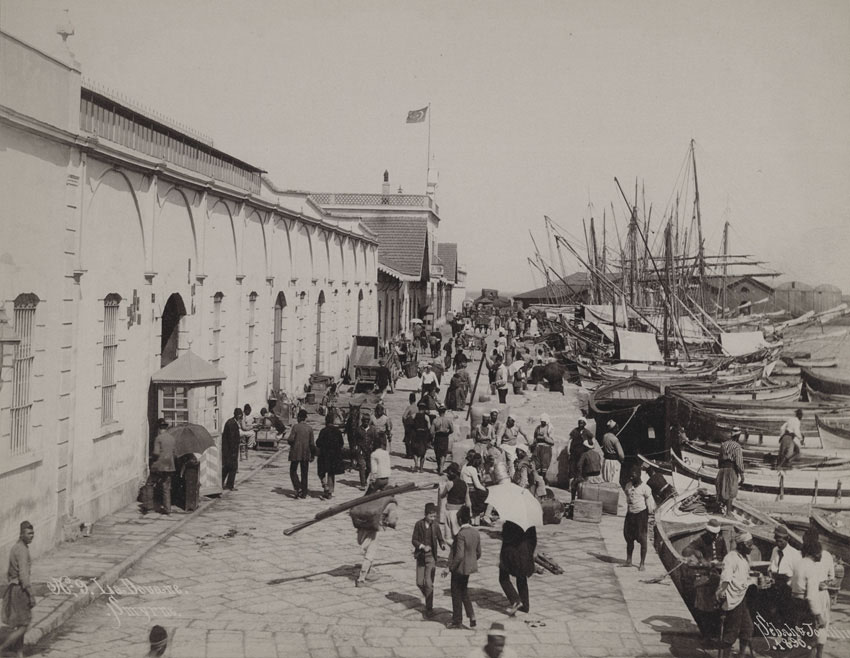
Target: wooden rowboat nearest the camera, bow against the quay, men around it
(680,520)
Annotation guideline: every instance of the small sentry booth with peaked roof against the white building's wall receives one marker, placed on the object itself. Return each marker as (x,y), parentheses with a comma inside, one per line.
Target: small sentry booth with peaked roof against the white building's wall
(188,390)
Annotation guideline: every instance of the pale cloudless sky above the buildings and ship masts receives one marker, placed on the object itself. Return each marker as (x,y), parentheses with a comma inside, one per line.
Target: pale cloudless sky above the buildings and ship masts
(535,108)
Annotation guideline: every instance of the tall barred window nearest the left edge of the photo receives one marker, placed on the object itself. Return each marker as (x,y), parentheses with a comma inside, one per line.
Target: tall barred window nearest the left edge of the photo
(22,372)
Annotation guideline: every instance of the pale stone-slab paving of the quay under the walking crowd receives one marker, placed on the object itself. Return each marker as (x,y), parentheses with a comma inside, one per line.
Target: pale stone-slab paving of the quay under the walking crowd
(244,589)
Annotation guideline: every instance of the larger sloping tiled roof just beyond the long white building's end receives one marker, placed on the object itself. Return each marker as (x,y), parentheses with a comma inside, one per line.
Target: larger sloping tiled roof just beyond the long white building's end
(401,242)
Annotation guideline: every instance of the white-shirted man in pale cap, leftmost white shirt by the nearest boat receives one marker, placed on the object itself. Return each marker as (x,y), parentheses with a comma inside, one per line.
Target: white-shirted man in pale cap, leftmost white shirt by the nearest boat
(734,581)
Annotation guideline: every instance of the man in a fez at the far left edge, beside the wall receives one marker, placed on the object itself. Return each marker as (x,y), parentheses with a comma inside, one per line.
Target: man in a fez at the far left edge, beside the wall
(18,599)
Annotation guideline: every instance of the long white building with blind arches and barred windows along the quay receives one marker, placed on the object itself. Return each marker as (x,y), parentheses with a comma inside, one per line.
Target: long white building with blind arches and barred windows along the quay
(124,240)
